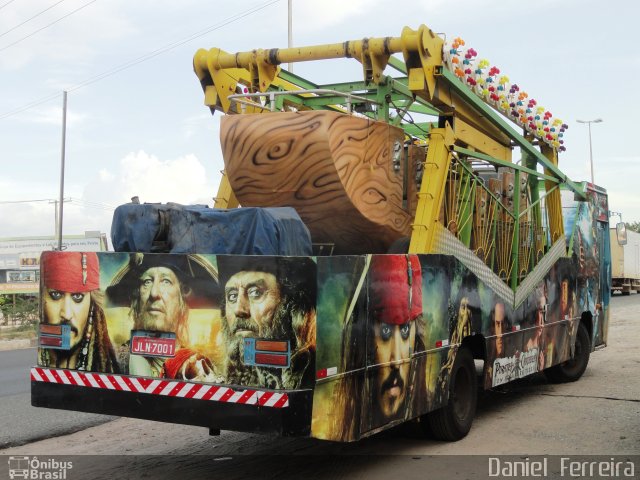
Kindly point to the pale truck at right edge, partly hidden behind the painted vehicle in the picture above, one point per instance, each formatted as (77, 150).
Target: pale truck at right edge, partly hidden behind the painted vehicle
(625, 263)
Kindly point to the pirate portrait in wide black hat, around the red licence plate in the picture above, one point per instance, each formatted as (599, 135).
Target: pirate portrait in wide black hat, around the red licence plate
(161, 291)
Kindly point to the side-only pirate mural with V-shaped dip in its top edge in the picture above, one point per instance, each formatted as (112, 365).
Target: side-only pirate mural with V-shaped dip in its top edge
(389, 328)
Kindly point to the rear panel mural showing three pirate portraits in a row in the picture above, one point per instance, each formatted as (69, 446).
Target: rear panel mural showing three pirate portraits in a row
(189, 317)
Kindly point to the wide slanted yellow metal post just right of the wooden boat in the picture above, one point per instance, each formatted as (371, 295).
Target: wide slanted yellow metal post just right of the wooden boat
(432, 189)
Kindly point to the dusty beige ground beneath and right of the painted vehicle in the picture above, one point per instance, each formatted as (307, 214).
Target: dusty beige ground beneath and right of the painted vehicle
(598, 415)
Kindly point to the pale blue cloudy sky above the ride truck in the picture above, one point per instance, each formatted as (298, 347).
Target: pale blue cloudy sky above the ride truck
(137, 125)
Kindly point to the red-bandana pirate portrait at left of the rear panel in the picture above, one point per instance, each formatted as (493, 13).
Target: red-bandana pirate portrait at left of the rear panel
(71, 296)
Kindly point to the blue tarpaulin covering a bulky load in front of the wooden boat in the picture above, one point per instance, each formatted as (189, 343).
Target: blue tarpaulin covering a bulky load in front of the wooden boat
(177, 228)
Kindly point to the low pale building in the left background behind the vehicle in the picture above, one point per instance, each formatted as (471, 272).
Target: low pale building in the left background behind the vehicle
(20, 258)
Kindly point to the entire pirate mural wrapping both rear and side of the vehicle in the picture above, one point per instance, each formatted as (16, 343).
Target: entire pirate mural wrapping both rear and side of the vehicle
(374, 336)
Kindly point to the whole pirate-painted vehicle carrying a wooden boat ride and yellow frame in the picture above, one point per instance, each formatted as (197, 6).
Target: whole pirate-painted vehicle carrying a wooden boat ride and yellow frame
(370, 240)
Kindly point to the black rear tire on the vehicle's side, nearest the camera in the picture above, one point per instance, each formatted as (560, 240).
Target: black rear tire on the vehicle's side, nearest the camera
(453, 421)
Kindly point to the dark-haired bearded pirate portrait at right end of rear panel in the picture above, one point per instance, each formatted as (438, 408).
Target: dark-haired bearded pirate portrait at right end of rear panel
(270, 298)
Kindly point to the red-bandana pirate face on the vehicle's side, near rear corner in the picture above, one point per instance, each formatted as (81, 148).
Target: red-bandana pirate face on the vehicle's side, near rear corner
(396, 304)
